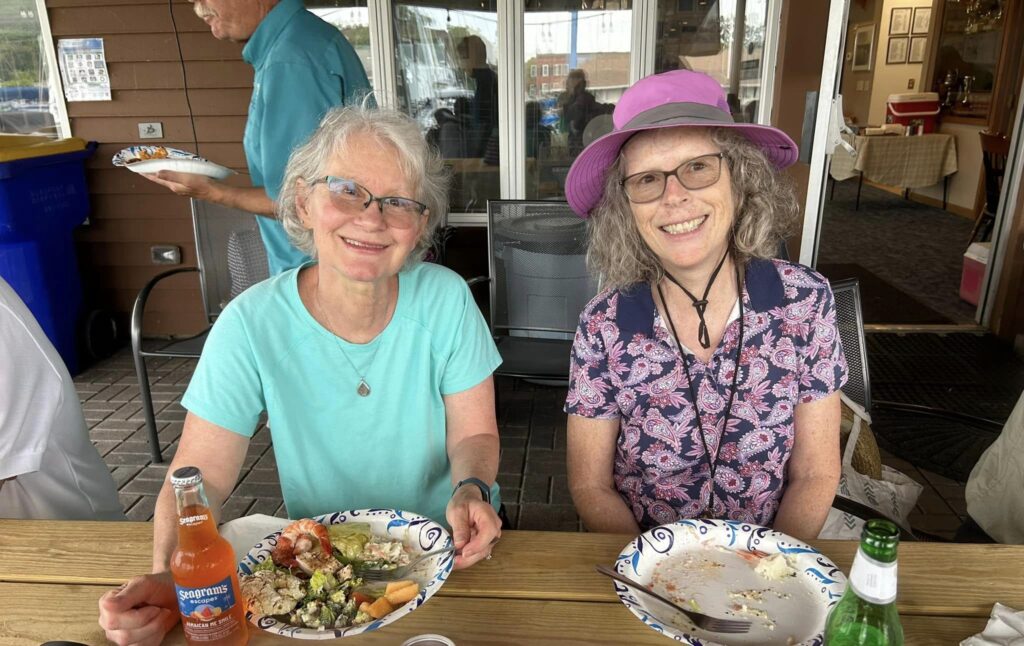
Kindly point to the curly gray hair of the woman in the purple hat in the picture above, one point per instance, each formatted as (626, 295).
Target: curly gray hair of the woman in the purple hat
(766, 212)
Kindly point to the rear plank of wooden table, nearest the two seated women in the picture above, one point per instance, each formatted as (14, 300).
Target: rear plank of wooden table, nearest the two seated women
(935, 579)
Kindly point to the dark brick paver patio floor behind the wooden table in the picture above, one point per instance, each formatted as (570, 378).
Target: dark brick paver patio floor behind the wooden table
(533, 459)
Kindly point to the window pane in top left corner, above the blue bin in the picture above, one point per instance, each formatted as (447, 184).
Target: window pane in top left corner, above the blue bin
(27, 105)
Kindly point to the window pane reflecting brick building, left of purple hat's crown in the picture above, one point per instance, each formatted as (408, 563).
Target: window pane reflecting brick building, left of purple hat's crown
(584, 60)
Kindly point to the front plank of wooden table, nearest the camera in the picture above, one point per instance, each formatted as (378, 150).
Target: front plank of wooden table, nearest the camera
(467, 622)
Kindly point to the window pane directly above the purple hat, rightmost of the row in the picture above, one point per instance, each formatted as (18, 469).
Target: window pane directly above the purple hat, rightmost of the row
(721, 38)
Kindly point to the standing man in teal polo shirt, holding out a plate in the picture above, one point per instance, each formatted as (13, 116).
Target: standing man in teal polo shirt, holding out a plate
(304, 67)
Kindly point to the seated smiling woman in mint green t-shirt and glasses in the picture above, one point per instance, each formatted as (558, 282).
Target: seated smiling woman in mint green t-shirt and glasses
(374, 369)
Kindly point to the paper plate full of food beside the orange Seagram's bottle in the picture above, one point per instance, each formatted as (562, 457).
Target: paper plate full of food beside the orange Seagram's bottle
(304, 582)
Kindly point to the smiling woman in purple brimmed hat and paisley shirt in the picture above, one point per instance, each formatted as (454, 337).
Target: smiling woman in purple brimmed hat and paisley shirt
(688, 209)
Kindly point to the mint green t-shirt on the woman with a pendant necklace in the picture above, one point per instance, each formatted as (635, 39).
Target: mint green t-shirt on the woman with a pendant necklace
(335, 450)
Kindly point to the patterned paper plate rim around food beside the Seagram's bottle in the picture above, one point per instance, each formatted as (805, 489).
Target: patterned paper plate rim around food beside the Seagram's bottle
(419, 534)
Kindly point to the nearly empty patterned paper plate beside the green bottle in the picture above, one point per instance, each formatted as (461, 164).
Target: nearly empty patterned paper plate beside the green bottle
(709, 566)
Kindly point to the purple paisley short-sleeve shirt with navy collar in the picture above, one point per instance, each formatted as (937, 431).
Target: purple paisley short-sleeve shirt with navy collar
(626, 366)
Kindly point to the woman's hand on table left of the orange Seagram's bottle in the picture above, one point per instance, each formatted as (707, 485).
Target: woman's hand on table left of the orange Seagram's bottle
(140, 613)
